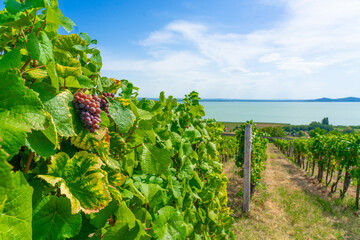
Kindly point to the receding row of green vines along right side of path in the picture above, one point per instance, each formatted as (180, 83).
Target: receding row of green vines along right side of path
(336, 154)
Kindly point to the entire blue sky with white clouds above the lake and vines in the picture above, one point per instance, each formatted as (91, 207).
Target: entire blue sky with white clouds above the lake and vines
(246, 49)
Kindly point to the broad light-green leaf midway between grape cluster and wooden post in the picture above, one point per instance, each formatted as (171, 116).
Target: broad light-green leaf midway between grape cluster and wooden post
(155, 160)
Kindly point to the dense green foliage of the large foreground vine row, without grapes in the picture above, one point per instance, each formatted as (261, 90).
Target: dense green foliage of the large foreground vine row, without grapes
(151, 170)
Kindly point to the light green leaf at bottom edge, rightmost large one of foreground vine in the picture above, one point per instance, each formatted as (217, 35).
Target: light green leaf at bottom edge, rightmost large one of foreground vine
(169, 224)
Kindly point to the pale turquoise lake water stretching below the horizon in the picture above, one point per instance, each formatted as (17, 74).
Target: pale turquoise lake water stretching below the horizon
(339, 113)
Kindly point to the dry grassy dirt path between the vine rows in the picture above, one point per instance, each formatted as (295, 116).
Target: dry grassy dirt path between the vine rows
(289, 206)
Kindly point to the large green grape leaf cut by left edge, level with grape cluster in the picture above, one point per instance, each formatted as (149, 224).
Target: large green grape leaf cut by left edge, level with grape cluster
(20, 112)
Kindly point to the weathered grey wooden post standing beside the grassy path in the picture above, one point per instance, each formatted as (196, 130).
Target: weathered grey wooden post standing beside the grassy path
(247, 169)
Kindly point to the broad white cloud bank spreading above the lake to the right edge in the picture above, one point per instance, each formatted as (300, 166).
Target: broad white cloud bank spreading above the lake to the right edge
(318, 36)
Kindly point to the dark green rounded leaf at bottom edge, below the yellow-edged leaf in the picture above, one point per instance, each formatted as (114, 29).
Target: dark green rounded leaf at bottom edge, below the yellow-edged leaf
(52, 219)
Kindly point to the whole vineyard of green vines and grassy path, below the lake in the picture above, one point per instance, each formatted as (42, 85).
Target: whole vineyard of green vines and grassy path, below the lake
(82, 156)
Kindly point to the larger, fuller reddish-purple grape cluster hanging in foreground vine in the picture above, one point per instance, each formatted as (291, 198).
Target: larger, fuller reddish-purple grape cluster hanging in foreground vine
(88, 108)
